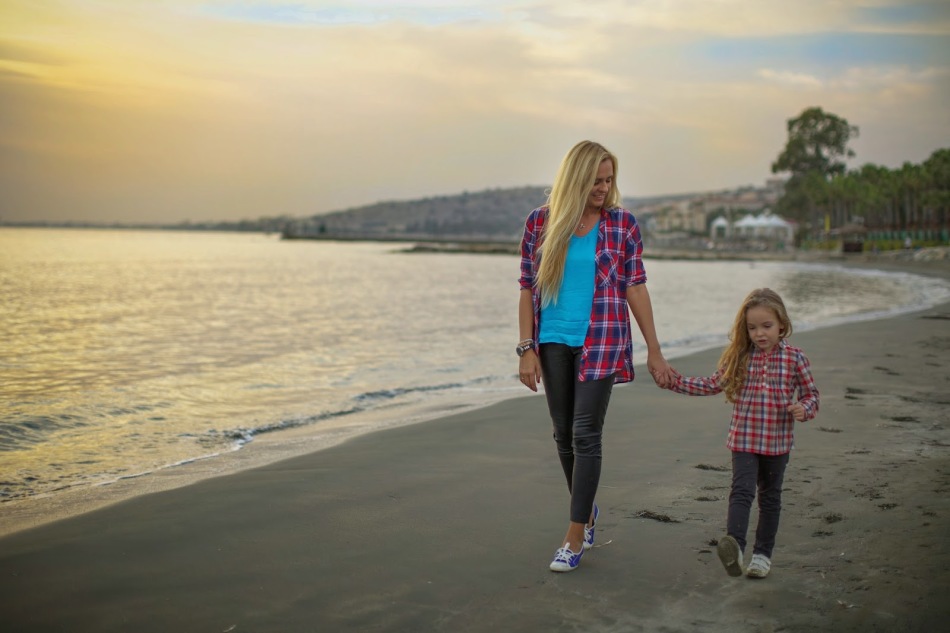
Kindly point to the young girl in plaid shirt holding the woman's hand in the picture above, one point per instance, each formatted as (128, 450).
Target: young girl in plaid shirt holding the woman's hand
(770, 385)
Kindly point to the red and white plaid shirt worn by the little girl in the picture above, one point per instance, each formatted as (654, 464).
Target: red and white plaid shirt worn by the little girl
(761, 422)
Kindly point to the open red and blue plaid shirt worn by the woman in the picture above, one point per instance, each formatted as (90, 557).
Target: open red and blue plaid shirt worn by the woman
(608, 346)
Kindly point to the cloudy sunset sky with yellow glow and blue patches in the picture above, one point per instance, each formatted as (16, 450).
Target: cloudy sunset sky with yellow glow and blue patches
(170, 111)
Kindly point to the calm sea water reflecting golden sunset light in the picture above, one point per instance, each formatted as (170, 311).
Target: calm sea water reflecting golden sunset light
(126, 352)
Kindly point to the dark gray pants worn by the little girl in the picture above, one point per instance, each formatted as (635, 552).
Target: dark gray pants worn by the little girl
(751, 473)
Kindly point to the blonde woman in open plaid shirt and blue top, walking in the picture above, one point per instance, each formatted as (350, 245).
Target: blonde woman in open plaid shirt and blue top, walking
(581, 268)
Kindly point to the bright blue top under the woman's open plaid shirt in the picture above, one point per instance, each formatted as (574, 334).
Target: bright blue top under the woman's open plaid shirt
(567, 320)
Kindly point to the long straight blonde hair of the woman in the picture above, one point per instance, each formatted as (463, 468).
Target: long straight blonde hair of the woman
(566, 203)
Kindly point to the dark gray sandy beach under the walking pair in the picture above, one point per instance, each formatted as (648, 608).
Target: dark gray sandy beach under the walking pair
(449, 525)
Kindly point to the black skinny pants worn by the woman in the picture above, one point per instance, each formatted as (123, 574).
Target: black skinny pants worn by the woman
(578, 410)
